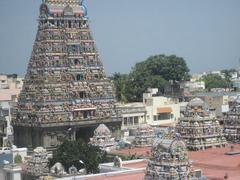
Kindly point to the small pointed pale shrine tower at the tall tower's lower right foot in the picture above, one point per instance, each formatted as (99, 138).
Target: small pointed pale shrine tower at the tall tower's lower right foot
(103, 138)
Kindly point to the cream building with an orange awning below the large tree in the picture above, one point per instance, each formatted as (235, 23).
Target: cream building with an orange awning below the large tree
(160, 110)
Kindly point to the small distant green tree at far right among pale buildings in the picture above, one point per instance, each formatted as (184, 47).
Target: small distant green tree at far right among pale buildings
(214, 81)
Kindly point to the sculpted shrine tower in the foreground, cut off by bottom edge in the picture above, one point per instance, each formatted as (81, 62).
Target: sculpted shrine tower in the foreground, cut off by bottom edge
(169, 161)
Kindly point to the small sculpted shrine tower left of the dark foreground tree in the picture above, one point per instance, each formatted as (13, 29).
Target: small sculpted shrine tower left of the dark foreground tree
(36, 166)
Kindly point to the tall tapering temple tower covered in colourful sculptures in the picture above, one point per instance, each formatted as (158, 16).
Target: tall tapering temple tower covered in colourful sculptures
(66, 93)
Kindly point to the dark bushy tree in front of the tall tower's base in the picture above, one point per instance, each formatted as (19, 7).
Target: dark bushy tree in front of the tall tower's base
(71, 152)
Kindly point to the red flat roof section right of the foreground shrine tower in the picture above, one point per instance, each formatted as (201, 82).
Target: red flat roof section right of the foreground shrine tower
(215, 164)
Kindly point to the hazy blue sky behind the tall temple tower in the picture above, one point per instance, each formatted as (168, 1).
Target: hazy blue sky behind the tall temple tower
(206, 33)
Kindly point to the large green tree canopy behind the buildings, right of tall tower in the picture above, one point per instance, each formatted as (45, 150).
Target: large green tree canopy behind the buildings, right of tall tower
(155, 72)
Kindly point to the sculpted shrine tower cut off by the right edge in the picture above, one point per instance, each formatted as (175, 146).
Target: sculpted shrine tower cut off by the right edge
(231, 121)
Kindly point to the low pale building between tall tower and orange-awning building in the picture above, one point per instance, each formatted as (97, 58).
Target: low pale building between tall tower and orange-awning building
(133, 115)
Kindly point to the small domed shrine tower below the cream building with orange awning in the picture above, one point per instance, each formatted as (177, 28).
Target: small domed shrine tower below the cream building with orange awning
(144, 136)
